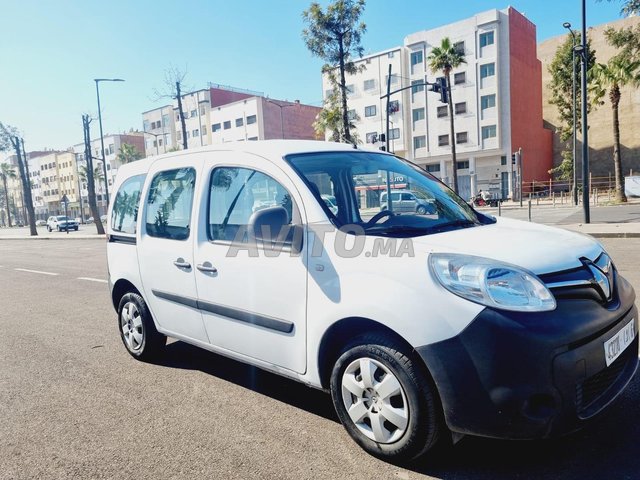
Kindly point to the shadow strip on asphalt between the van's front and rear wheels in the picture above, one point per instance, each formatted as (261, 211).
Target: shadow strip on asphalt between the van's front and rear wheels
(183, 355)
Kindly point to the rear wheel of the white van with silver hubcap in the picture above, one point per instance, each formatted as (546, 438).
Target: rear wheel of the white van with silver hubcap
(137, 330)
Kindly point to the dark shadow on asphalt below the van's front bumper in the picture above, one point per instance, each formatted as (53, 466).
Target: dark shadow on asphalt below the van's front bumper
(605, 448)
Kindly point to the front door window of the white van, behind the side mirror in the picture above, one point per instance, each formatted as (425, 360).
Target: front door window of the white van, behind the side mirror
(235, 194)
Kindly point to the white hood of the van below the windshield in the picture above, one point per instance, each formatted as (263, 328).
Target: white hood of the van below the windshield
(538, 248)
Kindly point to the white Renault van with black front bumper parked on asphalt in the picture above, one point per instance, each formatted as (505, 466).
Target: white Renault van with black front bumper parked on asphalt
(422, 327)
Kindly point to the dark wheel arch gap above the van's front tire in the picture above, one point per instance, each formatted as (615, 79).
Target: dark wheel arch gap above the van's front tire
(344, 331)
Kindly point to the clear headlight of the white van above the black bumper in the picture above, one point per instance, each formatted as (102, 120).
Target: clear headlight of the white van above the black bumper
(491, 283)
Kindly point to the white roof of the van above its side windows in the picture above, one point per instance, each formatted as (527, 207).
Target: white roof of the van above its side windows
(267, 148)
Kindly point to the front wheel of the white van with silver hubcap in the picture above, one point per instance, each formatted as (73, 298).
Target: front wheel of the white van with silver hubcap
(397, 424)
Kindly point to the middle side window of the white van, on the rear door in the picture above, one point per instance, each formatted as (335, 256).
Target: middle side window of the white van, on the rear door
(168, 209)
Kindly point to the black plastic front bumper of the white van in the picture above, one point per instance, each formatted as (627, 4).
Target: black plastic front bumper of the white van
(534, 375)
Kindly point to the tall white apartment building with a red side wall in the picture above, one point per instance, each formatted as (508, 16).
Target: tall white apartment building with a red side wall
(496, 94)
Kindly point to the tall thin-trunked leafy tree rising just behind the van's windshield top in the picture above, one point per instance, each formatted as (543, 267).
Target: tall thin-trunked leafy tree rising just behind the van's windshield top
(335, 36)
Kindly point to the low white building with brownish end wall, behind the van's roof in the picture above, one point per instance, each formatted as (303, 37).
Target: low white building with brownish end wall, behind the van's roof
(221, 114)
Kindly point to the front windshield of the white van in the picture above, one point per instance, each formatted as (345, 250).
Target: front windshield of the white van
(362, 184)
